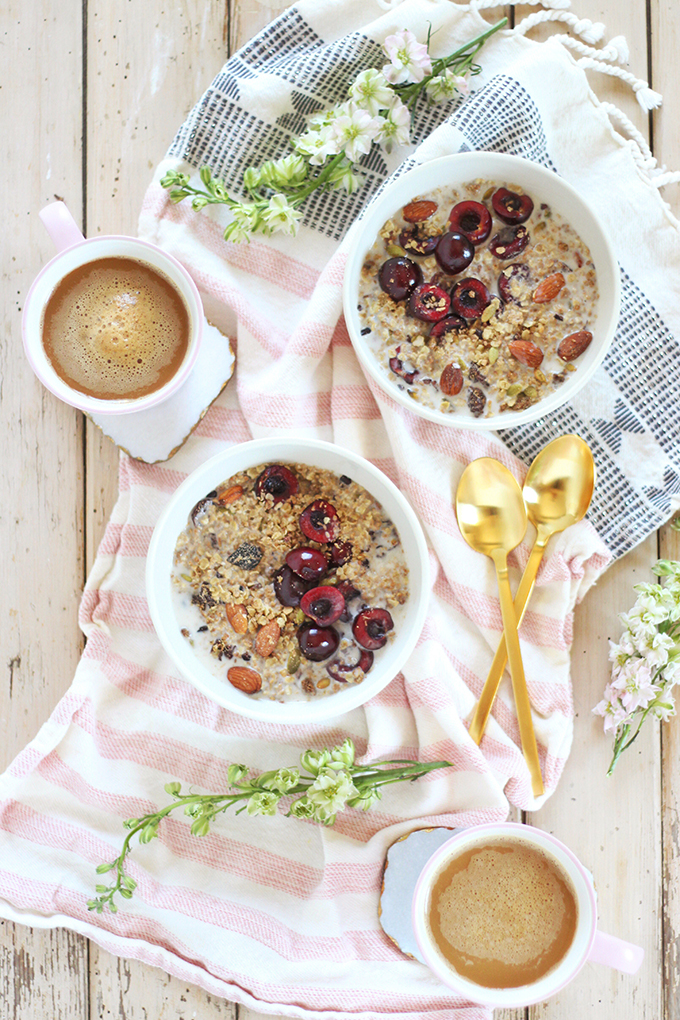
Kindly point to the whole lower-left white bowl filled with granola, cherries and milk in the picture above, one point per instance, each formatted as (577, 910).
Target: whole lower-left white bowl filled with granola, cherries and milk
(288, 580)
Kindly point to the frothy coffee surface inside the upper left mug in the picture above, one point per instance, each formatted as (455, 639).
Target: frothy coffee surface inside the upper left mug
(116, 329)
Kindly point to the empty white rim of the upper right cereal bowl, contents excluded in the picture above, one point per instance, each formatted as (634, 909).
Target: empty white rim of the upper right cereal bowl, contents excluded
(504, 164)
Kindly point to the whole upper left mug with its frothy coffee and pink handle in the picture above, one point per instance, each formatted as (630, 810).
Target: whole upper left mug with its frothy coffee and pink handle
(112, 325)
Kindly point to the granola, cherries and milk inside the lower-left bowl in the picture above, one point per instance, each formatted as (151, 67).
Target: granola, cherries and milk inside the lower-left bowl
(288, 580)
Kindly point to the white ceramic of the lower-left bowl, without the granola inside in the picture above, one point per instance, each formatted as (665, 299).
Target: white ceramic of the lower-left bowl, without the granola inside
(160, 564)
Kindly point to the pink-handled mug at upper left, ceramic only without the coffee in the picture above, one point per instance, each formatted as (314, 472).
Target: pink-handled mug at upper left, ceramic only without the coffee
(75, 251)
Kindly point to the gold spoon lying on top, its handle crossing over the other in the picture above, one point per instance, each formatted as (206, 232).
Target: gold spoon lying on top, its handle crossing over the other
(493, 521)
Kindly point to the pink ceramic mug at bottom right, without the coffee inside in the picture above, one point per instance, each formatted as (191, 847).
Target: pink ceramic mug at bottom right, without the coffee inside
(589, 943)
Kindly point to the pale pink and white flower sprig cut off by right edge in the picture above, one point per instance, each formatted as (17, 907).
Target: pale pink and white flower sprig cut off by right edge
(646, 664)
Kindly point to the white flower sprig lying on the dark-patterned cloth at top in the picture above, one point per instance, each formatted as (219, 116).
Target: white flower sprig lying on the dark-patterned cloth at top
(379, 111)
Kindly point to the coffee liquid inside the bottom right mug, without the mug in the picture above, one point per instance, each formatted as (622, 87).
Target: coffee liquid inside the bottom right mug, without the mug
(503, 914)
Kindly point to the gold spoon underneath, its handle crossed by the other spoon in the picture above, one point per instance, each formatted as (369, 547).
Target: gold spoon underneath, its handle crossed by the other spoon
(557, 493)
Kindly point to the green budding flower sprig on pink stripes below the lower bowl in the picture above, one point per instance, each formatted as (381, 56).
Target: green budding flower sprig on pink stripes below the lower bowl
(326, 784)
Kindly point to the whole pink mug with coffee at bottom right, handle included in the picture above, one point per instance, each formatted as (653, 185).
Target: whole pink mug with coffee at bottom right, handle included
(506, 915)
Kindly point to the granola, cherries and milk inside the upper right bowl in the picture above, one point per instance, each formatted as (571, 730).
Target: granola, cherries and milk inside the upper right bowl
(477, 298)
